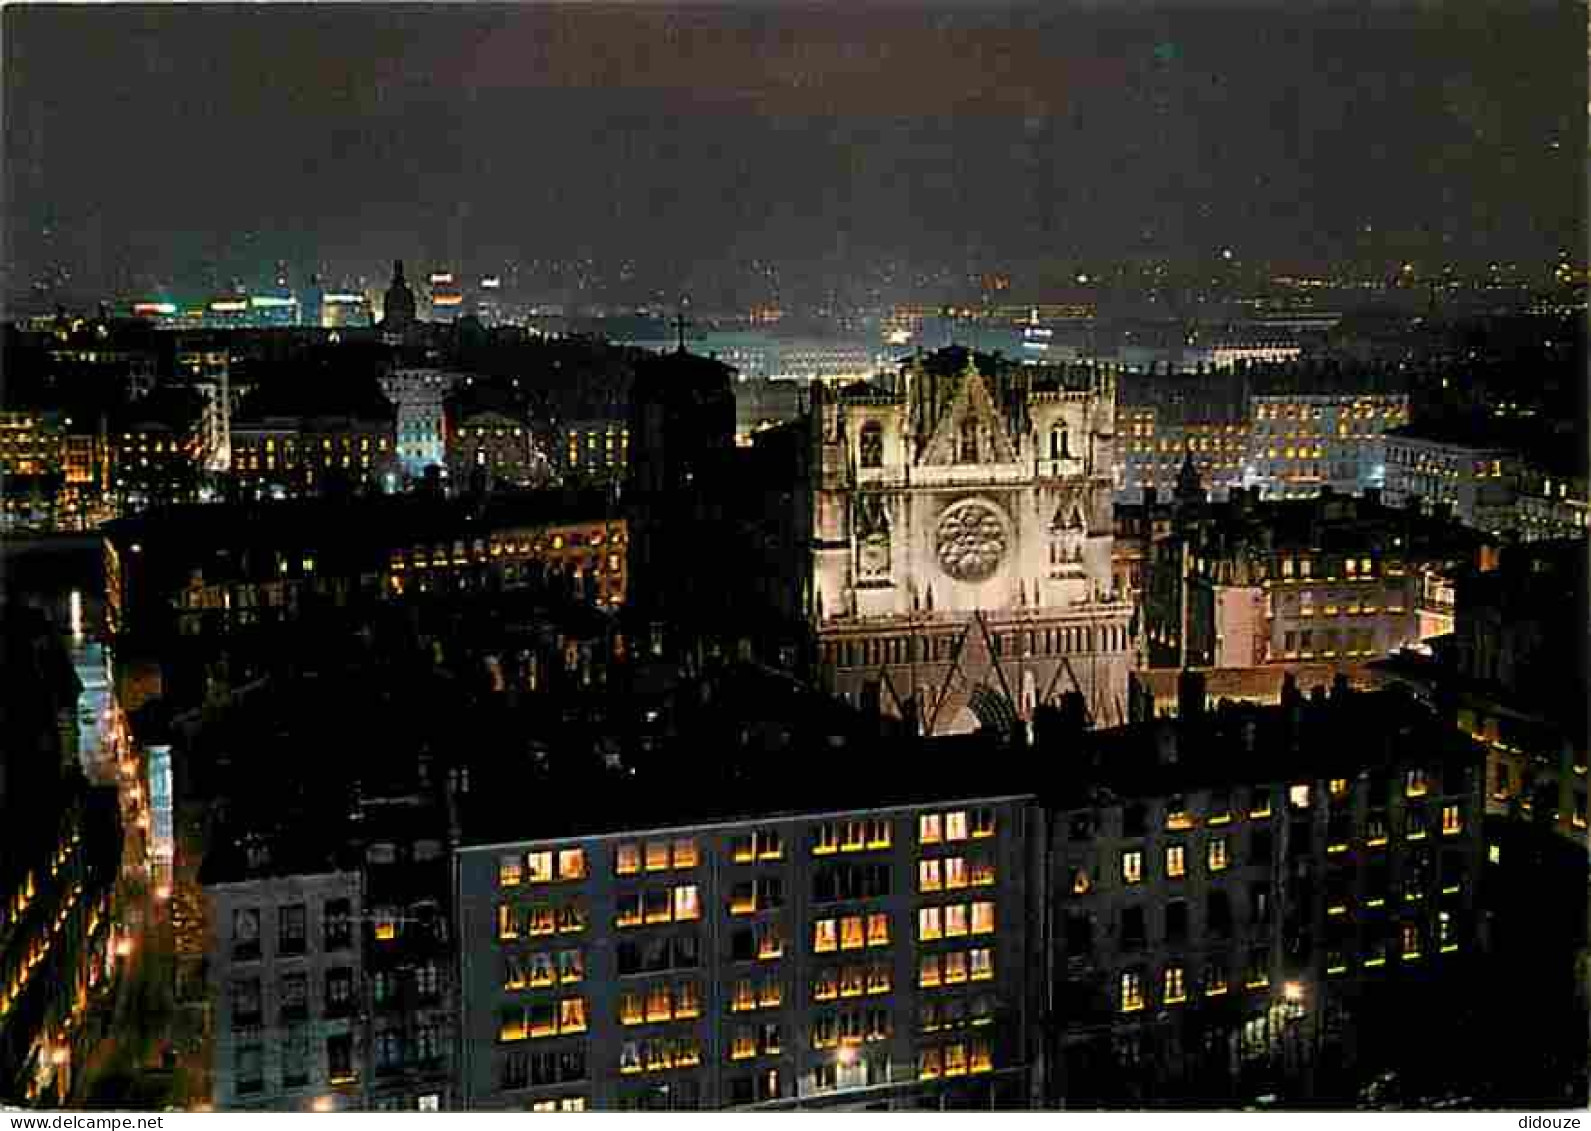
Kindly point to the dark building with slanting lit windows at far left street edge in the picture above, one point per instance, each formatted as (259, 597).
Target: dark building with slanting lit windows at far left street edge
(56, 876)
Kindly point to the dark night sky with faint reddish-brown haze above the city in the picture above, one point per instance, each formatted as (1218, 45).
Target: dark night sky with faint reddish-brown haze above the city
(166, 142)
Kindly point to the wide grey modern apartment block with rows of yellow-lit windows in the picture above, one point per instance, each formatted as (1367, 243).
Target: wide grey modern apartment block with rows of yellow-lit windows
(796, 954)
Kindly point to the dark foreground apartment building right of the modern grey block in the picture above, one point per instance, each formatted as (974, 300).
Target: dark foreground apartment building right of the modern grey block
(1253, 901)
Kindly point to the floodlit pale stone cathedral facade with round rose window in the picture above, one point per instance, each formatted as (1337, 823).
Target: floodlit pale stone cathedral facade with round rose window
(962, 529)
